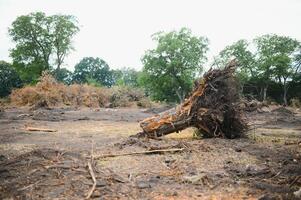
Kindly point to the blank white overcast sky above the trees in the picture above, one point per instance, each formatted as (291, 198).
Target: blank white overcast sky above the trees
(119, 31)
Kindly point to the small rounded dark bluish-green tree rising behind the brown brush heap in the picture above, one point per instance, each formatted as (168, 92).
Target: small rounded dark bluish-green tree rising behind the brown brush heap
(93, 70)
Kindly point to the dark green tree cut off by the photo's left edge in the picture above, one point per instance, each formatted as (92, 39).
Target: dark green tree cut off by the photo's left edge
(9, 79)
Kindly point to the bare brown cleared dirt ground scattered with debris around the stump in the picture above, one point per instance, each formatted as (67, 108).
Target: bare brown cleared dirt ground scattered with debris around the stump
(40, 165)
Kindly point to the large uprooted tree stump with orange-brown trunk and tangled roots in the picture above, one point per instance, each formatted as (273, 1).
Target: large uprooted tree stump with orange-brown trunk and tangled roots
(212, 108)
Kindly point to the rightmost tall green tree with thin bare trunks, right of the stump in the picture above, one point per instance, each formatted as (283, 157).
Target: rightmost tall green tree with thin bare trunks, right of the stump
(275, 60)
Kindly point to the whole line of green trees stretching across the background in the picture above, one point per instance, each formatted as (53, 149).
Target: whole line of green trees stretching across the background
(269, 65)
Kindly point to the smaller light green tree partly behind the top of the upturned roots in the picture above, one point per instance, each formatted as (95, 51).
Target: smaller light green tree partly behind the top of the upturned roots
(239, 50)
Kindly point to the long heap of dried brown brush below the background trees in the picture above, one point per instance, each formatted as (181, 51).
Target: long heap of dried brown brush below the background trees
(49, 93)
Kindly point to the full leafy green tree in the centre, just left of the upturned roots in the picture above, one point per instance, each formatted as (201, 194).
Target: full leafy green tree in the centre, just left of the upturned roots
(170, 68)
